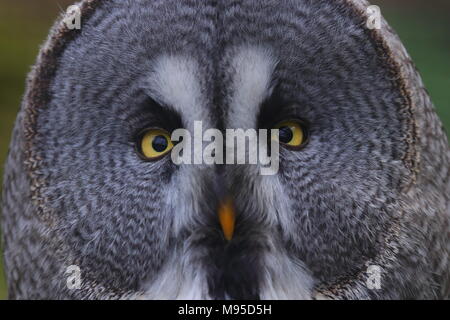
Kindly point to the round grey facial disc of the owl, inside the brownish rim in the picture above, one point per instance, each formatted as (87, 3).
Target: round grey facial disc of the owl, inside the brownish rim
(138, 223)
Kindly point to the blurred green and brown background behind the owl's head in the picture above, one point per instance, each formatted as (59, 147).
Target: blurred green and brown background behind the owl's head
(424, 27)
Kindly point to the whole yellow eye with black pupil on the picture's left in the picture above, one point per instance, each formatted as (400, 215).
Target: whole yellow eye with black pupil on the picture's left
(155, 143)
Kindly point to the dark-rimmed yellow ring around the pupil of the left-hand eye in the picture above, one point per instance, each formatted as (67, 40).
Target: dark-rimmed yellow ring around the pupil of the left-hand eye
(148, 152)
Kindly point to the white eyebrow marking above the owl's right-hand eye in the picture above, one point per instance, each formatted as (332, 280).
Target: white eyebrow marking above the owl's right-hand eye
(253, 69)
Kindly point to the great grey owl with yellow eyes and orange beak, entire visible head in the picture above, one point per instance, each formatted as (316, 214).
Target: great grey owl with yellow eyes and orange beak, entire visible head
(89, 181)
